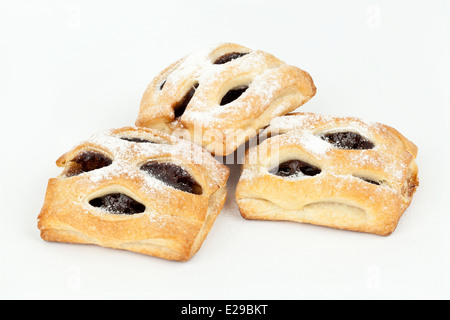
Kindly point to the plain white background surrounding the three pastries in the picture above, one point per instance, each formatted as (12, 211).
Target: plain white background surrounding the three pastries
(69, 69)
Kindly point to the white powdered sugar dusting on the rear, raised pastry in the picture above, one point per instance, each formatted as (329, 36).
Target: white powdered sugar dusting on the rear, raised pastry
(255, 69)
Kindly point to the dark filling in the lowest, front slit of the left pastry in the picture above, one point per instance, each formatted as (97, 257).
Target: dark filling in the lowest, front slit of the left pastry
(118, 203)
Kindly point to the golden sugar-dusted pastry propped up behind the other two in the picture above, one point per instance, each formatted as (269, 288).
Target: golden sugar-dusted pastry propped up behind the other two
(200, 81)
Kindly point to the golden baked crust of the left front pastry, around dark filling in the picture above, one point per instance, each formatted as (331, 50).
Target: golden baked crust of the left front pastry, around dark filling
(174, 223)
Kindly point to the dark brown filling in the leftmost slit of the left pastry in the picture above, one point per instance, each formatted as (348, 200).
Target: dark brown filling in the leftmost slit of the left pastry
(87, 161)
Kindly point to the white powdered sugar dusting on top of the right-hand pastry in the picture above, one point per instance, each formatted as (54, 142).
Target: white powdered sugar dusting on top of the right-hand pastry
(387, 162)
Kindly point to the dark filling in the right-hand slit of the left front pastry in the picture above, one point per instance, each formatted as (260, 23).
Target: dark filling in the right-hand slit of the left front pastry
(172, 175)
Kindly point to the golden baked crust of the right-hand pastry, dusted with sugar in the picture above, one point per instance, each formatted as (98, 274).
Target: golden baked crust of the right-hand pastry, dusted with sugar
(364, 190)
